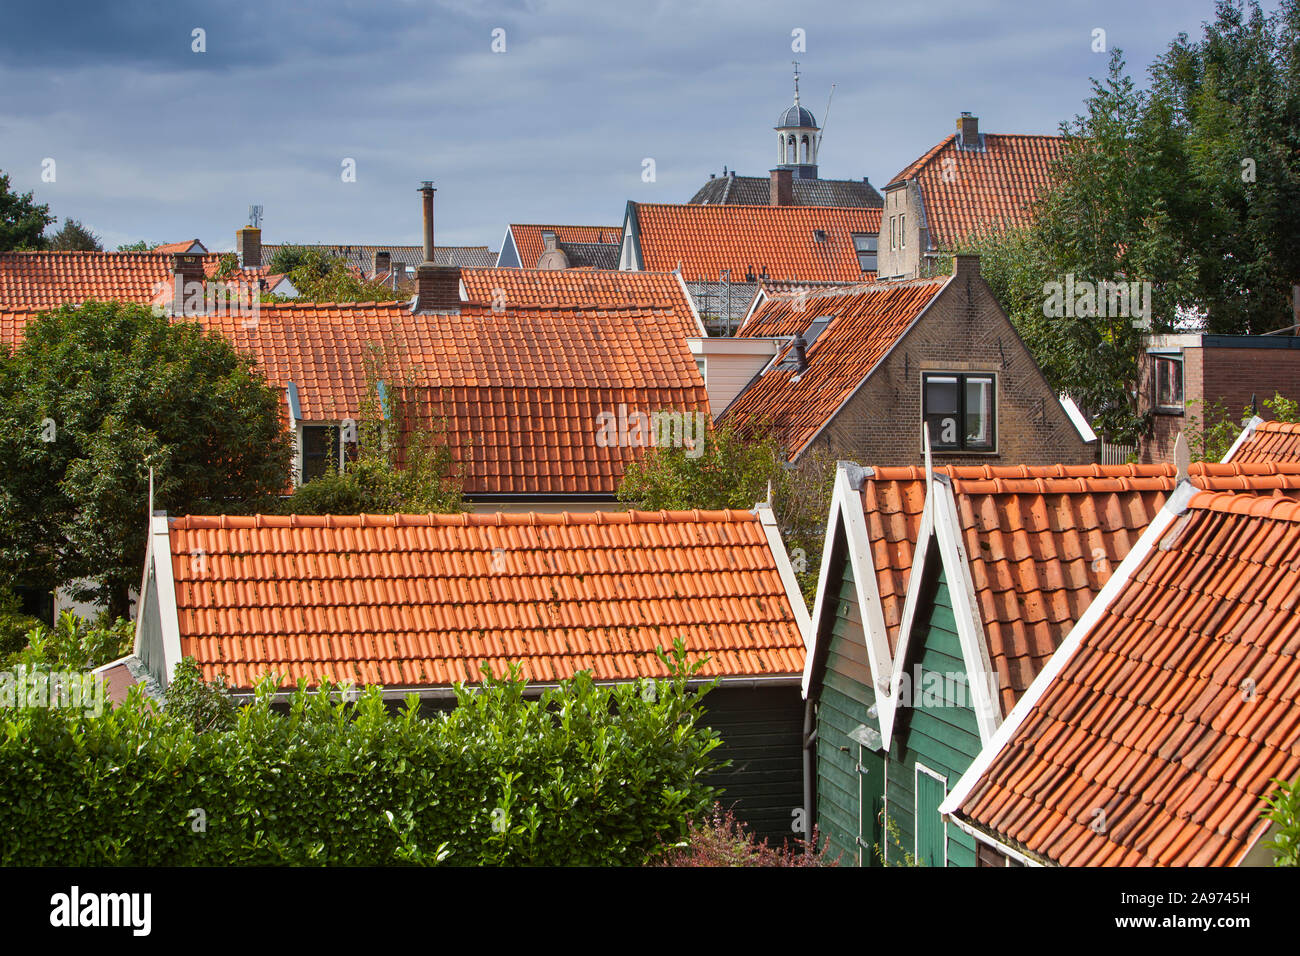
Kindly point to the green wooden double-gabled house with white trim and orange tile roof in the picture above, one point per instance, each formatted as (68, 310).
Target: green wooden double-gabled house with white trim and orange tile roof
(942, 596)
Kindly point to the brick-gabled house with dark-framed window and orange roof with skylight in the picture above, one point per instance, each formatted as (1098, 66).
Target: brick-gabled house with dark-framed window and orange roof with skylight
(863, 370)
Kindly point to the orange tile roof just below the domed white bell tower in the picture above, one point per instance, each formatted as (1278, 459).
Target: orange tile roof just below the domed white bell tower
(705, 240)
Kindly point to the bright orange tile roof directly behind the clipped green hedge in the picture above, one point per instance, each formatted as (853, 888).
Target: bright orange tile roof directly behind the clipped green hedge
(427, 600)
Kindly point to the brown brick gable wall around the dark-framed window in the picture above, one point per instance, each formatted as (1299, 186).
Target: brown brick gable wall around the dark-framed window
(964, 331)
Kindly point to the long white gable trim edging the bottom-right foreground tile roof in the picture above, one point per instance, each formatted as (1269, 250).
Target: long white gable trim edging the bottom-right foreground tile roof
(1173, 508)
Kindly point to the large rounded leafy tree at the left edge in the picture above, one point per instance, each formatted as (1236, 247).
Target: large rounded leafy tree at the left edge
(92, 400)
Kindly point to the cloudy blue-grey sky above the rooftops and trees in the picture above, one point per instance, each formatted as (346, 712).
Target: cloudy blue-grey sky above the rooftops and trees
(154, 141)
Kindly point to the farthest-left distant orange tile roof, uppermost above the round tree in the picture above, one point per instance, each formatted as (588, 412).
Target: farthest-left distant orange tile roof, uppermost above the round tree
(49, 280)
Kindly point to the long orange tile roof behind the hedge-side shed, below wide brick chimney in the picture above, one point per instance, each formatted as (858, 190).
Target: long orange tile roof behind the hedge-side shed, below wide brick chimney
(519, 391)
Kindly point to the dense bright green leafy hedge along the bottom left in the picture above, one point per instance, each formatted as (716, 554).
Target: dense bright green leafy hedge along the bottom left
(582, 776)
